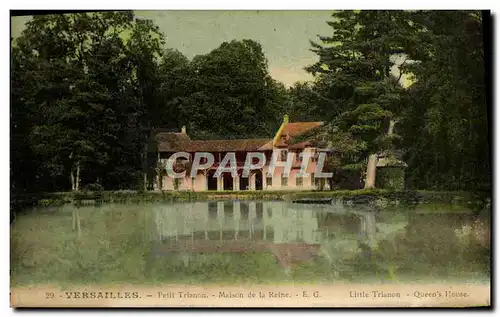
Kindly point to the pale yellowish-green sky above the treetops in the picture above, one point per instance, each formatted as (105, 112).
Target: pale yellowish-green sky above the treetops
(284, 35)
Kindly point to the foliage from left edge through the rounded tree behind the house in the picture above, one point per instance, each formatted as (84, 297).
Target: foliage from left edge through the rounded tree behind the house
(88, 89)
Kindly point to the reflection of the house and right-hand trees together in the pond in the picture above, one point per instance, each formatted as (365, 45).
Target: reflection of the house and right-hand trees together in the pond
(294, 233)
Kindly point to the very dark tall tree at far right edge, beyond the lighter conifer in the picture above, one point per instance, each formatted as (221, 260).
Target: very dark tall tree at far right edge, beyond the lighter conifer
(445, 122)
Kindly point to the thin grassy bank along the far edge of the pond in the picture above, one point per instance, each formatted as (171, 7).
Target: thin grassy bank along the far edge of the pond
(355, 196)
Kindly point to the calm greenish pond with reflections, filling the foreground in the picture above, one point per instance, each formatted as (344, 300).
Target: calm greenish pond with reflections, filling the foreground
(249, 242)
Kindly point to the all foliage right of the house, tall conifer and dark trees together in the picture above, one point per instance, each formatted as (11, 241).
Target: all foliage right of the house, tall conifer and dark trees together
(439, 124)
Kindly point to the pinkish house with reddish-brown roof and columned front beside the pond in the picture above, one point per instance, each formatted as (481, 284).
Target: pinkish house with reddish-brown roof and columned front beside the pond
(287, 139)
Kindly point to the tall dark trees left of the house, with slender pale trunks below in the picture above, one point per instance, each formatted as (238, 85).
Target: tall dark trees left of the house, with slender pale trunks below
(73, 98)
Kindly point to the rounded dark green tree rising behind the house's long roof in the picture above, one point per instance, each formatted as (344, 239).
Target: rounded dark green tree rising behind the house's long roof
(232, 94)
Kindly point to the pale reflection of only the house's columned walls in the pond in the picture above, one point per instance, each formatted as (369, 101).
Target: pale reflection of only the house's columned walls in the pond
(274, 222)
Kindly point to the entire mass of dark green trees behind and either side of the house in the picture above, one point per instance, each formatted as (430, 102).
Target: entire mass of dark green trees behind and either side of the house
(87, 89)
